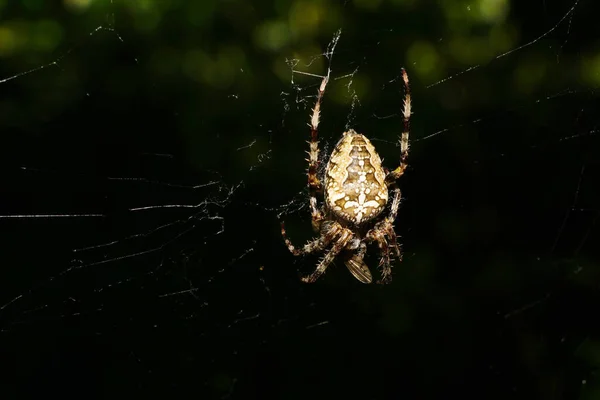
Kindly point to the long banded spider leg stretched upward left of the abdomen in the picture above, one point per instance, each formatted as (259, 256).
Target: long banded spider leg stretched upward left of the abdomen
(314, 184)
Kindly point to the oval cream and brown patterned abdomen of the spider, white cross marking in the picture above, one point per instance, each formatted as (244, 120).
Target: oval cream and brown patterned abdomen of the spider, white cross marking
(355, 188)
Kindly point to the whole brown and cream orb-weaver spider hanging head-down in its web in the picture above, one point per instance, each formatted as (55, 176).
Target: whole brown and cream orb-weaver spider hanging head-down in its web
(355, 194)
